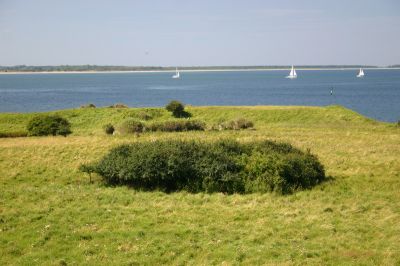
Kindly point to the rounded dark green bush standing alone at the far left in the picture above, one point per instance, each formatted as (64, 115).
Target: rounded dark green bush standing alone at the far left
(44, 125)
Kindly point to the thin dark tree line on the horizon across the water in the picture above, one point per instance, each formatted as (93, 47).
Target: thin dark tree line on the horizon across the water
(68, 68)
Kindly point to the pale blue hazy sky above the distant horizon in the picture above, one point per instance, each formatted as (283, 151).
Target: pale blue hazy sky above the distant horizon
(199, 33)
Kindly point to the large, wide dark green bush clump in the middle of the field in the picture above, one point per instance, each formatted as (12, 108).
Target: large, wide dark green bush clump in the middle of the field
(224, 166)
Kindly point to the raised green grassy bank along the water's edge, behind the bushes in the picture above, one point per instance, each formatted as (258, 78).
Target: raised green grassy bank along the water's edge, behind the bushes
(90, 121)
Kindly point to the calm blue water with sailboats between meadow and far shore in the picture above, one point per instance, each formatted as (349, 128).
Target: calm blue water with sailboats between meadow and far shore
(377, 95)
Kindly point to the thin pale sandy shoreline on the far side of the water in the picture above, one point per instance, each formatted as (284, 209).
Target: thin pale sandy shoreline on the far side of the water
(191, 70)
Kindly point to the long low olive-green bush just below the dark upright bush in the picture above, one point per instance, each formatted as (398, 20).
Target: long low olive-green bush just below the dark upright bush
(176, 126)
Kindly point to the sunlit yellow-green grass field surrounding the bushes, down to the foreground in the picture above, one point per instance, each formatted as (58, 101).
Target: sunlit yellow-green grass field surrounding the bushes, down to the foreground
(50, 213)
